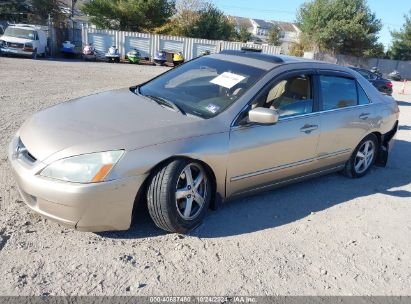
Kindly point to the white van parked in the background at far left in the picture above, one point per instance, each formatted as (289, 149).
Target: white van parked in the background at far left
(23, 39)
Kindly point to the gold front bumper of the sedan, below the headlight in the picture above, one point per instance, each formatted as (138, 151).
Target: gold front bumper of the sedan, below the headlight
(86, 207)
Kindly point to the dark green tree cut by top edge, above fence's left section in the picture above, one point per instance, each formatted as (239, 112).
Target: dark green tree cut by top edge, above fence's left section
(129, 15)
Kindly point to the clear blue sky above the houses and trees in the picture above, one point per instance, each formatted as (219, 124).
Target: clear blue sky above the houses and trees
(390, 12)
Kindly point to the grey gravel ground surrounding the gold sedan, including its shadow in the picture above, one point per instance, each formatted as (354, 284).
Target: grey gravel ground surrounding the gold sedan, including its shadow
(327, 236)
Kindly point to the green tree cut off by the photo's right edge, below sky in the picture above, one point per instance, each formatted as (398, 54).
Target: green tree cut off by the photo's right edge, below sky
(401, 45)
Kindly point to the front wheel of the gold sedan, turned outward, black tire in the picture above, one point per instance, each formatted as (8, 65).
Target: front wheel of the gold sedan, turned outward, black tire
(168, 211)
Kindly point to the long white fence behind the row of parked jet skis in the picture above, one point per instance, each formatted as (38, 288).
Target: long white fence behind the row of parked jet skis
(148, 44)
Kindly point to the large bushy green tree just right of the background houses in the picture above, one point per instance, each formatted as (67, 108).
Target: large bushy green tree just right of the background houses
(339, 26)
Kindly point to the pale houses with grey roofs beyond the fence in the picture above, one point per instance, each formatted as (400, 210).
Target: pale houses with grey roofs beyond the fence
(259, 29)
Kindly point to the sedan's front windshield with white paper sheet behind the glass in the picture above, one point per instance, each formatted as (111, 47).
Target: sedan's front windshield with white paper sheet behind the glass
(203, 87)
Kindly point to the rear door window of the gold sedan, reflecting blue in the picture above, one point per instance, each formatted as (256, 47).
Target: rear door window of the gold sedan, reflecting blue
(337, 92)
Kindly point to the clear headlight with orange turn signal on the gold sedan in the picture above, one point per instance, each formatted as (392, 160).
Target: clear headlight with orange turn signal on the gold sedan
(86, 168)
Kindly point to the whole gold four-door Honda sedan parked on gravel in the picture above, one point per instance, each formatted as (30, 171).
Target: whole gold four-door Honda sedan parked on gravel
(215, 128)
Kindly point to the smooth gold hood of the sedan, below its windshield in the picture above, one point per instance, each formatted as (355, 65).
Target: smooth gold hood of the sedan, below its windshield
(106, 121)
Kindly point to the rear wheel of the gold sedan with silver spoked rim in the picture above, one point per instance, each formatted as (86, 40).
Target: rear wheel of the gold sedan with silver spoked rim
(353, 168)
